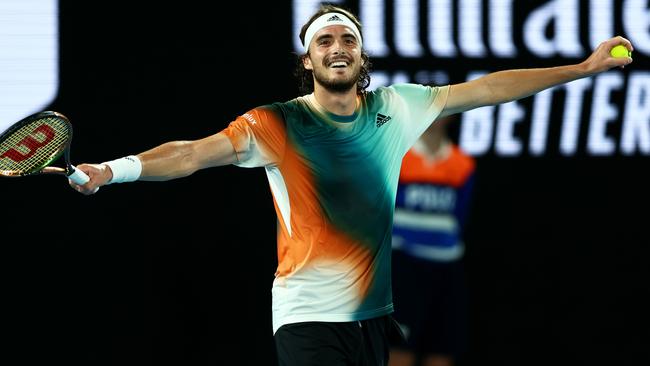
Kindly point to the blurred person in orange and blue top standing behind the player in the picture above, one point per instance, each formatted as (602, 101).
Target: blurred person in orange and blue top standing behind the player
(429, 288)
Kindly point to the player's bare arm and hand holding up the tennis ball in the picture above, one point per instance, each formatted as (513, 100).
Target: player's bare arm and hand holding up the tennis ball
(505, 86)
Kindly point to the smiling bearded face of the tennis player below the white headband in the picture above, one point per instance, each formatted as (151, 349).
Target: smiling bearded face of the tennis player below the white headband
(334, 58)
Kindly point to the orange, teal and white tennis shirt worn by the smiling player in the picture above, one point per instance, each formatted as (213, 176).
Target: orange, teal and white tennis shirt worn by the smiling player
(334, 181)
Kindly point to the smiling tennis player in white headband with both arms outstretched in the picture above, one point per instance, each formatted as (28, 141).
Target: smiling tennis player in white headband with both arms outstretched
(332, 158)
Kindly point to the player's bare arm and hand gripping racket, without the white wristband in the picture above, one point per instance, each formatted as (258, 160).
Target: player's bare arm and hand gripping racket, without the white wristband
(168, 161)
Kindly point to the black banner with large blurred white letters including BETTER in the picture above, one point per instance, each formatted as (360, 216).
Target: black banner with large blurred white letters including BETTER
(445, 41)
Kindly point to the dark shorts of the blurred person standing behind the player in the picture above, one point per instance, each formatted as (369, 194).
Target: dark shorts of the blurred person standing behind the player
(431, 305)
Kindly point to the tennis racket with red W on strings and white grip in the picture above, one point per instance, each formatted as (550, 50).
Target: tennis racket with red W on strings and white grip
(31, 146)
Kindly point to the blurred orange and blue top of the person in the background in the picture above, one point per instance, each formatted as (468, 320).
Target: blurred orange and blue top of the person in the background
(432, 203)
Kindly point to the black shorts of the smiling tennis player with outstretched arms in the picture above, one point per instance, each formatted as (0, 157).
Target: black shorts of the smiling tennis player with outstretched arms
(358, 343)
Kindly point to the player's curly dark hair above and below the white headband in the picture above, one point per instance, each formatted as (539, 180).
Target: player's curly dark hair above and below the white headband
(306, 77)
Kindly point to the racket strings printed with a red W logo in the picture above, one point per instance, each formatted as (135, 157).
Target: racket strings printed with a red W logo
(33, 146)
